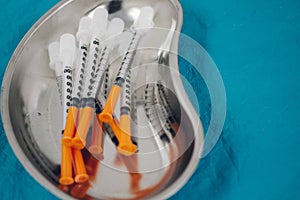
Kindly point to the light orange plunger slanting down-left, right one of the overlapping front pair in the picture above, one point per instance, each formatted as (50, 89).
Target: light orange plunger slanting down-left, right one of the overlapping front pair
(84, 122)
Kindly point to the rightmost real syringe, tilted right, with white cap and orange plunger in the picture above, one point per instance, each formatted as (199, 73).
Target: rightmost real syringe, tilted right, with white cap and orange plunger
(144, 21)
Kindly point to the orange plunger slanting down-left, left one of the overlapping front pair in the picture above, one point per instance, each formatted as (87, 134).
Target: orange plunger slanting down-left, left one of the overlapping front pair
(70, 127)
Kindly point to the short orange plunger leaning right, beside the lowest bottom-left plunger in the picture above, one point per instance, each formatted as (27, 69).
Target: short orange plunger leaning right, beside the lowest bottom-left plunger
(80, 171)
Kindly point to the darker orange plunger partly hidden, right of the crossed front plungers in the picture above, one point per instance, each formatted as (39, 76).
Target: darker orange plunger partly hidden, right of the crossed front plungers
(96, 144)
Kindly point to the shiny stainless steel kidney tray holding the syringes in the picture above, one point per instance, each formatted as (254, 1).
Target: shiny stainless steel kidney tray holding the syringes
(167, 129)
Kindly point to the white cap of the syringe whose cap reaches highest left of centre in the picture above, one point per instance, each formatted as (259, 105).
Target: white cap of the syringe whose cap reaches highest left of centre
(99, 22)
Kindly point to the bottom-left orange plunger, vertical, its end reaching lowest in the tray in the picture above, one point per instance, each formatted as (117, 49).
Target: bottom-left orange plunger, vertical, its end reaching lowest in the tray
(66, 166)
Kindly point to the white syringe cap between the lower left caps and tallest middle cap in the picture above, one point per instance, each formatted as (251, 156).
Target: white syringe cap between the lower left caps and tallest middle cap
(84, 29)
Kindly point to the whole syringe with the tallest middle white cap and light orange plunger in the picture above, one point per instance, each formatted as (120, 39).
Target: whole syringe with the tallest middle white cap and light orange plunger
(98, 28)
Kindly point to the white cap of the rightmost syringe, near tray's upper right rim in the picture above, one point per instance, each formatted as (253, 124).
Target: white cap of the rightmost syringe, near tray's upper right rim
(145, 19)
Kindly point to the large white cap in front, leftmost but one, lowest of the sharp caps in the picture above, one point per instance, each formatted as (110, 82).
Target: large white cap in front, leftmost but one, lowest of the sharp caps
(67, 49)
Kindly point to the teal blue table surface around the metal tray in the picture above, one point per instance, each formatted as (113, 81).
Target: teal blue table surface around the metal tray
(256, 46)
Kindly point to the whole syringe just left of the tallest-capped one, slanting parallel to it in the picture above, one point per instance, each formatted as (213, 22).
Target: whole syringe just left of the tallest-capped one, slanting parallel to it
(83, 36)
